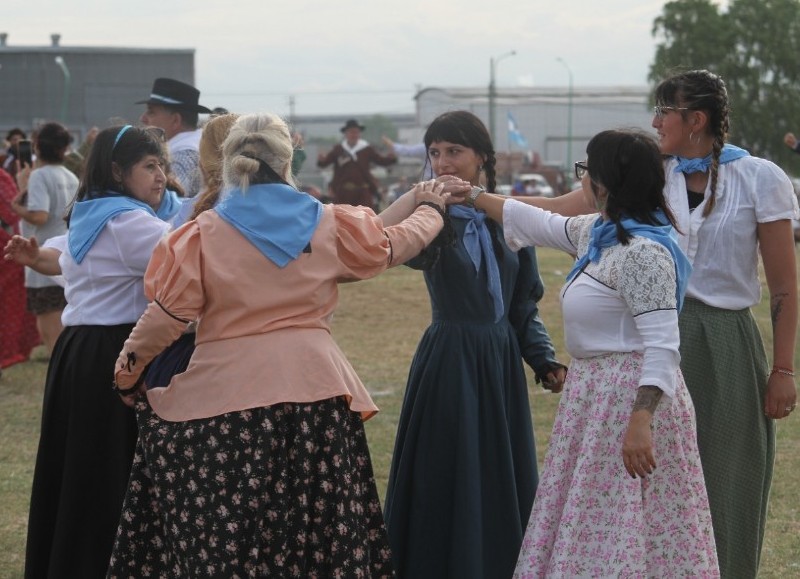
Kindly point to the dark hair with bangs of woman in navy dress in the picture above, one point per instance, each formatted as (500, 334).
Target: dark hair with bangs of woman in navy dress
(464, 128)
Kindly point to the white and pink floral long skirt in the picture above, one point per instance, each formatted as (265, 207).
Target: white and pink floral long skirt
(590, 517)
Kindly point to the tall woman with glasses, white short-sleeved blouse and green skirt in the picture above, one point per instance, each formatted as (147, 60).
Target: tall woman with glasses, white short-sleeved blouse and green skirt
(731, 206)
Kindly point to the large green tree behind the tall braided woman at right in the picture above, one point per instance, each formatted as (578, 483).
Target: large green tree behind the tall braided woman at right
(755, 47)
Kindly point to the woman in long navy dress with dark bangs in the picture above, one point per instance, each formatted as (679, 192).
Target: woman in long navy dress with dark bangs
(464, 473)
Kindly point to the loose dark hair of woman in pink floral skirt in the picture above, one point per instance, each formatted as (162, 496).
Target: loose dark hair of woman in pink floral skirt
(629, 165)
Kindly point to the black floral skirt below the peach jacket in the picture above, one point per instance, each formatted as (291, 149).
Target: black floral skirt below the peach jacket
(281, 491)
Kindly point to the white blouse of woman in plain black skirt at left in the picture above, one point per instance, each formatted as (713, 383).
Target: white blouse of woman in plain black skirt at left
(107, 287)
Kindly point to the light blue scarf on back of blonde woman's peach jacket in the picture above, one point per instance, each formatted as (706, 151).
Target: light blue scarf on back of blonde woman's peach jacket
(277, 219)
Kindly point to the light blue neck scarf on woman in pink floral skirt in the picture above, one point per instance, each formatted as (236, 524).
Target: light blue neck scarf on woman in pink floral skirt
(604, 234)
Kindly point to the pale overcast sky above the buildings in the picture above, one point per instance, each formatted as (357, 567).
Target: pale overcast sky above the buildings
(360, 56)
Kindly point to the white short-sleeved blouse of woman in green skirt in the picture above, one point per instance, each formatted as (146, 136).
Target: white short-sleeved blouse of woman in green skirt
(723, 247)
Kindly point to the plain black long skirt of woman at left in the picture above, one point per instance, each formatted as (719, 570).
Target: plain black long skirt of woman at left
(83, 463)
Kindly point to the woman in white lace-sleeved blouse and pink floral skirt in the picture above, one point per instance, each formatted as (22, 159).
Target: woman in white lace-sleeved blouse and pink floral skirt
(622, 492)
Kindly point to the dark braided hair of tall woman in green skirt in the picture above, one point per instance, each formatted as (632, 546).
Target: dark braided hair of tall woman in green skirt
(701, 90)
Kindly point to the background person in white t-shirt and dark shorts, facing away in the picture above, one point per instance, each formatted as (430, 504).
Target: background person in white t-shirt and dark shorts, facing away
(44, 195)
